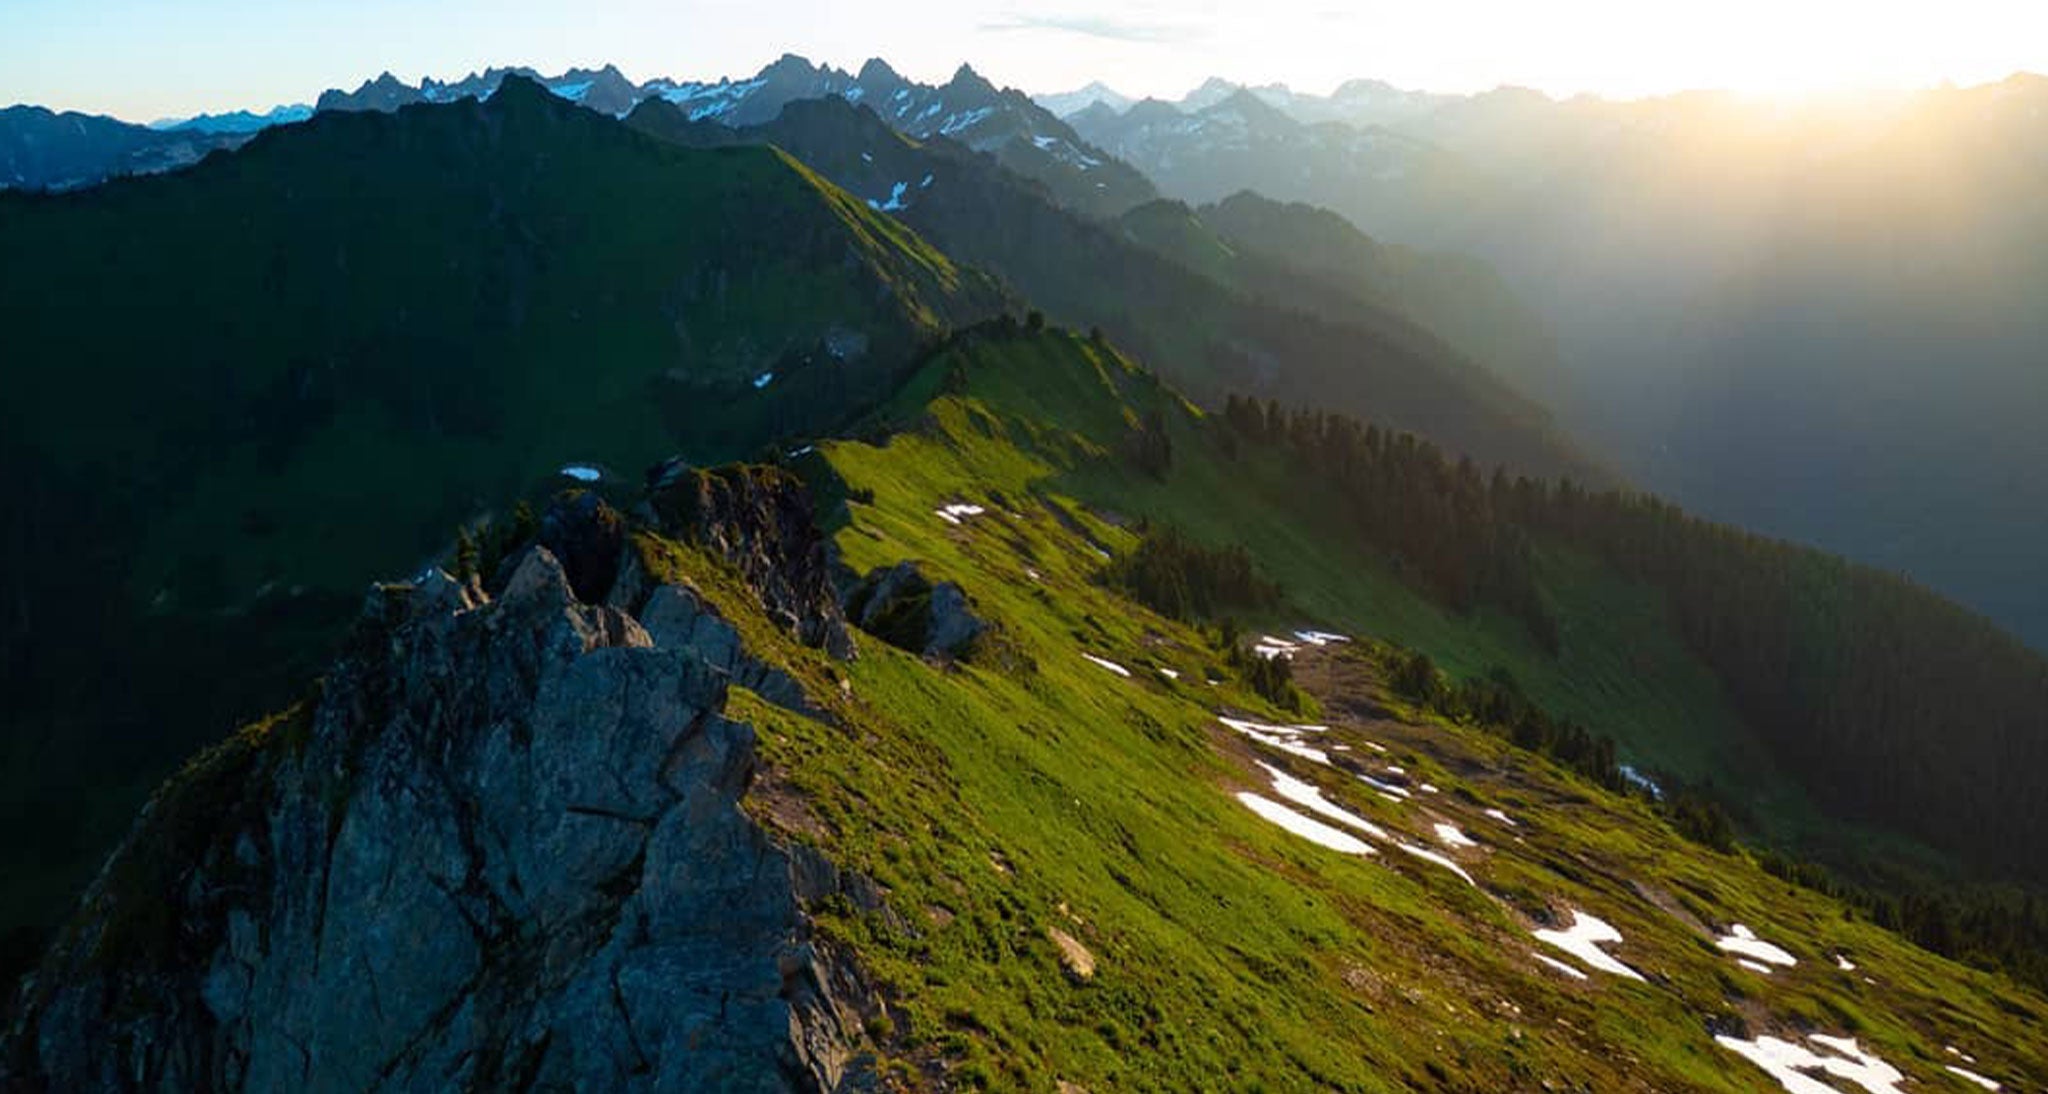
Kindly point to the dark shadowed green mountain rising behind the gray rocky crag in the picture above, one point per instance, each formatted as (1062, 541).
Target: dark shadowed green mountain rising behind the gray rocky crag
(239, 394)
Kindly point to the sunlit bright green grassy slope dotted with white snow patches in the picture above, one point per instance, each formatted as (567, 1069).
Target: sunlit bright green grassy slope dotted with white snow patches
(1033, 792)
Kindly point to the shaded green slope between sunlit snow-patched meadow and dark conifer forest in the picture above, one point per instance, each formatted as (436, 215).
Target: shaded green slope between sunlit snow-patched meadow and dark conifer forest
(1623, 669)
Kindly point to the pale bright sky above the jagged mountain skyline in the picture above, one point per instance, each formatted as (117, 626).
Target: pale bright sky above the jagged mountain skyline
(153, 58)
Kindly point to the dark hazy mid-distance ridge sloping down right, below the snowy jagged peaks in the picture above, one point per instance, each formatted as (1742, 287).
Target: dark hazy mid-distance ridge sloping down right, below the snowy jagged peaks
(1211, 317)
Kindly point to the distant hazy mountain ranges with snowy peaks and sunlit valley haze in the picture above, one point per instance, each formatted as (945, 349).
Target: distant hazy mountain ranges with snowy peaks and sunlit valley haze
(1695, 259)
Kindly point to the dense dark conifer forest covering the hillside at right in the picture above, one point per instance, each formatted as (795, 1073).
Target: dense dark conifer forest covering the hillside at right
(1887, 702)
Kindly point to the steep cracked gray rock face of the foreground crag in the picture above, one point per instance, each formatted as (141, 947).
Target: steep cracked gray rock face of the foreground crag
(503, 851)
